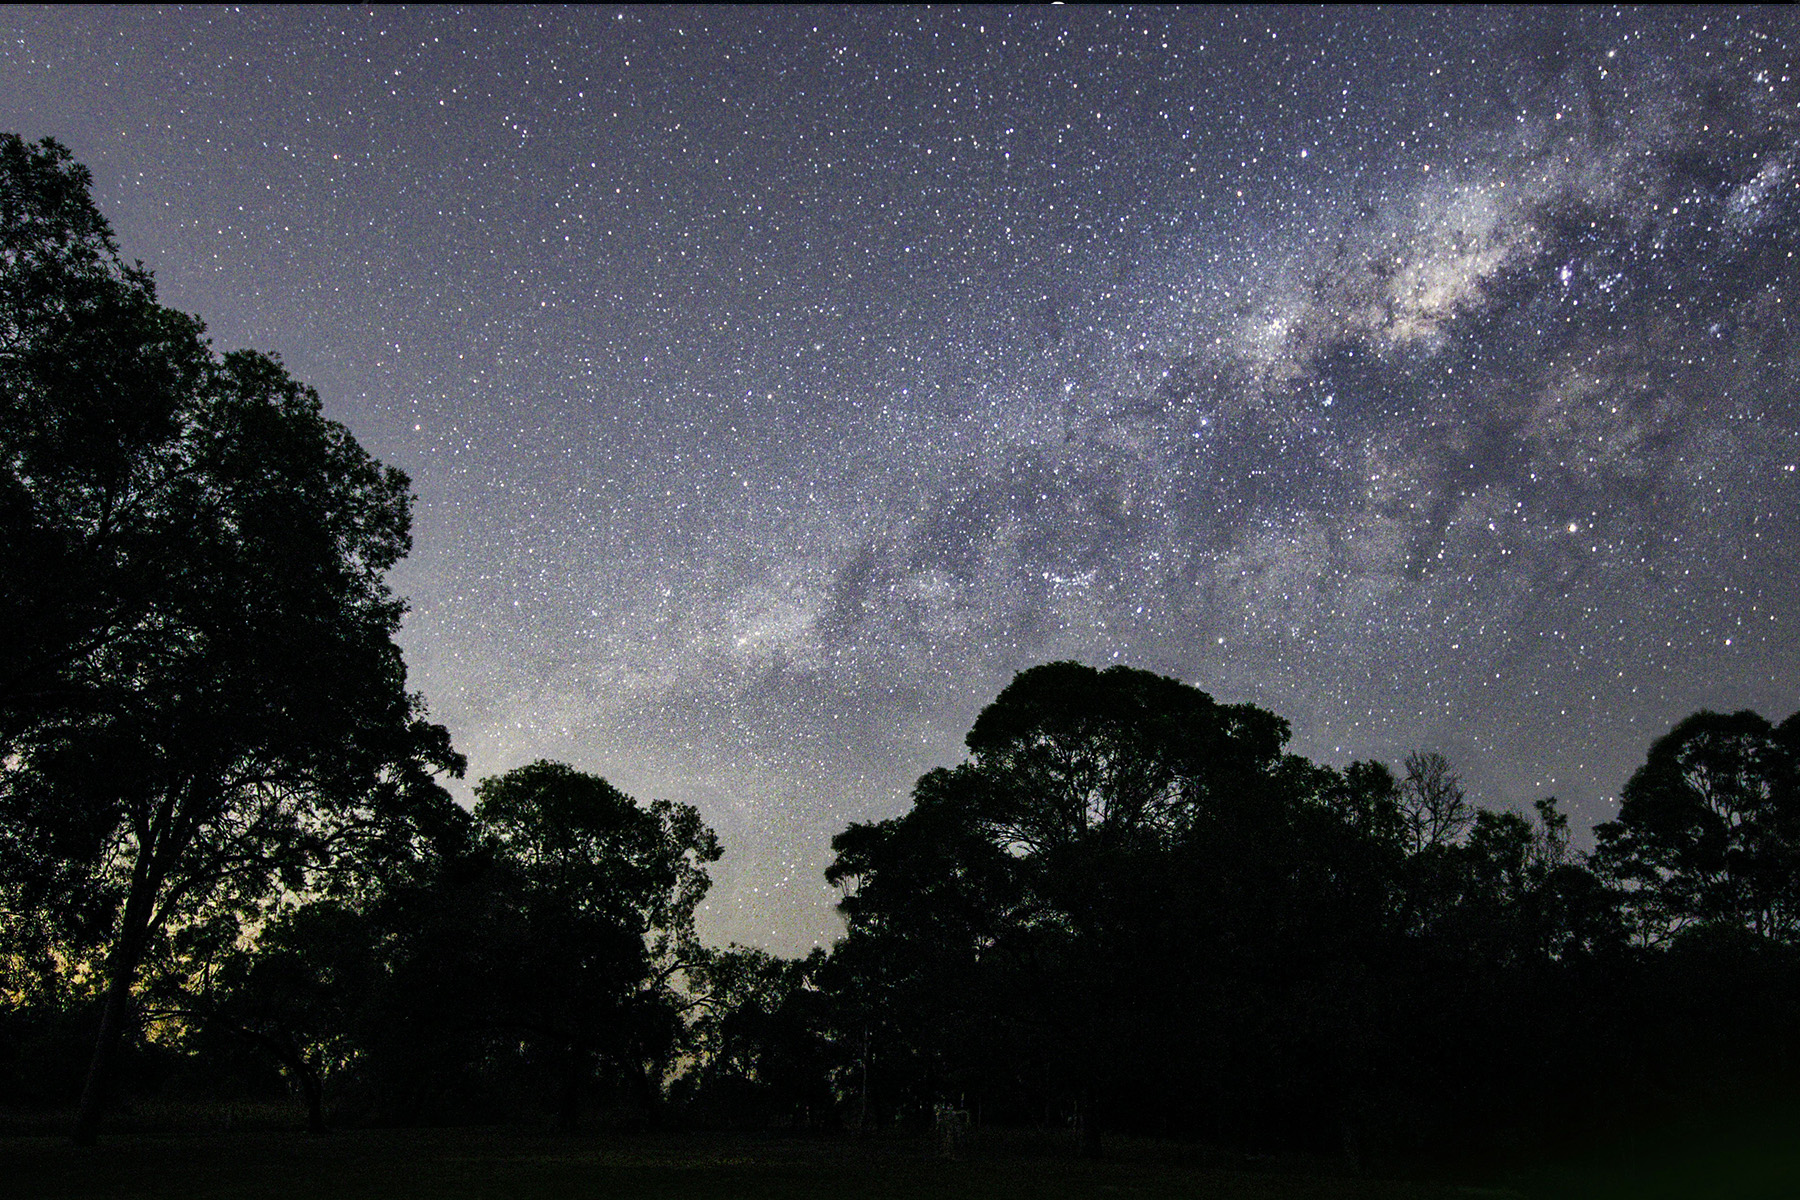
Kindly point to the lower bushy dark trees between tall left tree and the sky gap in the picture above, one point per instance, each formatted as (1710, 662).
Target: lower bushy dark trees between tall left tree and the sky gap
(528, 958)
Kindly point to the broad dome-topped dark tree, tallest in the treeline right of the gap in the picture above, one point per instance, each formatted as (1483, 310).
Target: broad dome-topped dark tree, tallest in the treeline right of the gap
(1021, 913)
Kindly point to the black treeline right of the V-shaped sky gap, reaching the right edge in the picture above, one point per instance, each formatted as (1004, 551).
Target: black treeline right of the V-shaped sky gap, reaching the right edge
(1133, 911)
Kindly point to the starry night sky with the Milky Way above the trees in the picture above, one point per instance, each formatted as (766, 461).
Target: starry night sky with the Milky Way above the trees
(777, 384)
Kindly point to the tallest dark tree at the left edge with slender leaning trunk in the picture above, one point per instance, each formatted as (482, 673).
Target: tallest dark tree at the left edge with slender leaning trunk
(204, 699)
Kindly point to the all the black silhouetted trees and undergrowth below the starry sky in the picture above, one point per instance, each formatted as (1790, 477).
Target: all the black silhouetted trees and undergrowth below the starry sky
(229, 875)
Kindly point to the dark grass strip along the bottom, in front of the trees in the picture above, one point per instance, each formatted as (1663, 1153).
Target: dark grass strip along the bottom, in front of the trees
(523, 1165)
